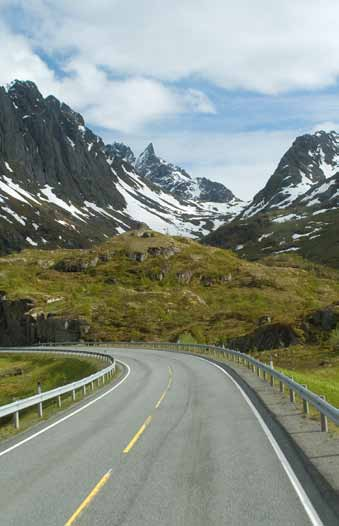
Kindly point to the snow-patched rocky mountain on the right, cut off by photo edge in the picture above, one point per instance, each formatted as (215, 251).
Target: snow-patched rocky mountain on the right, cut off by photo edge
(297, 211)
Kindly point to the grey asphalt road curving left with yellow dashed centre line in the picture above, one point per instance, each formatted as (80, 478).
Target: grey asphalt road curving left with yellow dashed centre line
(175, 443)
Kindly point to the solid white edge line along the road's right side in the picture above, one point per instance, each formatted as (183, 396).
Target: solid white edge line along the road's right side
(303, 497)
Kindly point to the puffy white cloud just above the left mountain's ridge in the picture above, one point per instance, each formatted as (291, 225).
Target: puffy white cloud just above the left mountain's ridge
(114, 104)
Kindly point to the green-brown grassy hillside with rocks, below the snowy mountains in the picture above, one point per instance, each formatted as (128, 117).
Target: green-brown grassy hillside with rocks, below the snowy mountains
(146, 286)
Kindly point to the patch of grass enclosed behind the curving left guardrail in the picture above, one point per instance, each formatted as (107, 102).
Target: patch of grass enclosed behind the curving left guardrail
(51, 371)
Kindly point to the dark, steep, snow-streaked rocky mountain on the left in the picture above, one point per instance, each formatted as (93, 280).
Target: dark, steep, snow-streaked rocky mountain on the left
(60, 185)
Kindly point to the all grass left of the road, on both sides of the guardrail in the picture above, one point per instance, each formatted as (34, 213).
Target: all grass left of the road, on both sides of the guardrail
(43, 370)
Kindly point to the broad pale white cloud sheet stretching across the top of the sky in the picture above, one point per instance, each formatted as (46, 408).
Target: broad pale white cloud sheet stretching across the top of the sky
(262, 46)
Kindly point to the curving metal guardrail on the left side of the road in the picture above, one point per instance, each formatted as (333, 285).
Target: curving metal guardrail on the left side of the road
(104, 374)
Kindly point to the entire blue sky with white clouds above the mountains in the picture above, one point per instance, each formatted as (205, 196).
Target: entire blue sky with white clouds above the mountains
(221, 87)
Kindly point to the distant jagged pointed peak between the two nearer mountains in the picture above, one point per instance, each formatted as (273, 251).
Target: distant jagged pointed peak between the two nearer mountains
(176, 180)
